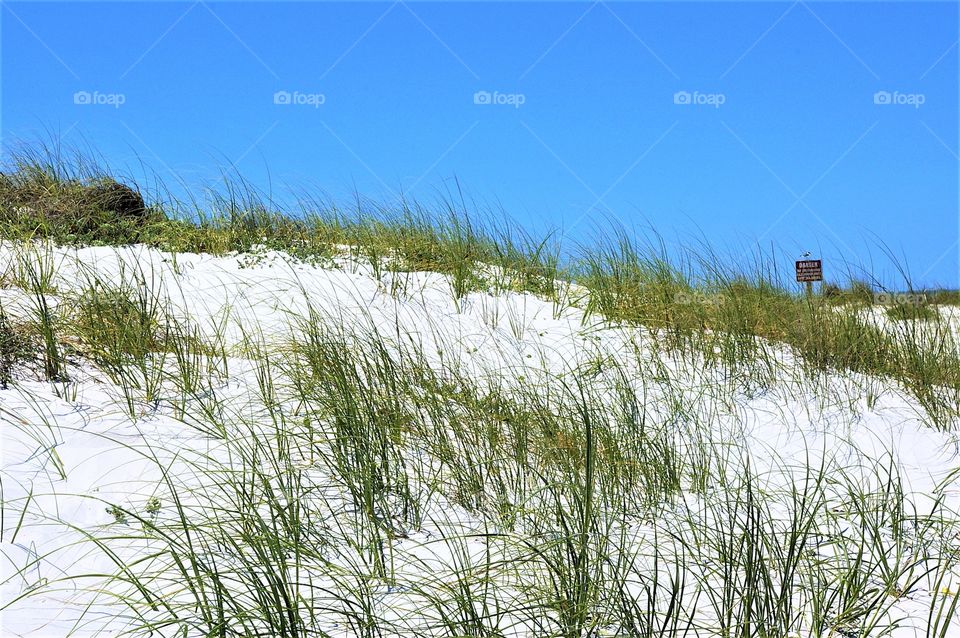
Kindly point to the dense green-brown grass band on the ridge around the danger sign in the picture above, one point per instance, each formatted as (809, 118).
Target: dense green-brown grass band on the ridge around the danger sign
(733, 318)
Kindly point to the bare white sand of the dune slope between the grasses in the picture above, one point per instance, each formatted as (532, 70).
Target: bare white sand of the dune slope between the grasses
(92, 448)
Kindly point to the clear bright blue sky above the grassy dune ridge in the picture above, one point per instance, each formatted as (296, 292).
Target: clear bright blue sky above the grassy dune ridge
(787, 145)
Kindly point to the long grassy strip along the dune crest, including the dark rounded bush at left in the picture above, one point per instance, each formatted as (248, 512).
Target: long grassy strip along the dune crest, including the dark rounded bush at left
(72, 200)
